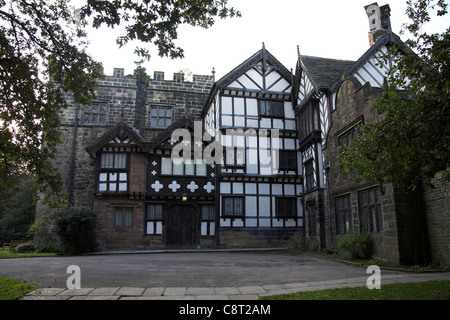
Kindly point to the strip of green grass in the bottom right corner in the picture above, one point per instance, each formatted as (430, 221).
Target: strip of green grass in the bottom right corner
(432, 290)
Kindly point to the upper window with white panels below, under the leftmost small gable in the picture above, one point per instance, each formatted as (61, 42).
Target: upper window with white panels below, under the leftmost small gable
(113, 172)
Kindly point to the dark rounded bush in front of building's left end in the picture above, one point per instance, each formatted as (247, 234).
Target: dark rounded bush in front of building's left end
(76, 227)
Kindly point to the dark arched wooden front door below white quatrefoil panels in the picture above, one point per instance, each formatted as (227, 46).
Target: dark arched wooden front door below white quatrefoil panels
(182, 226)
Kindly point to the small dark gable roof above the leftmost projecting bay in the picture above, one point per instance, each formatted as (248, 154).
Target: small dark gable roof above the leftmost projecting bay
(123, 132)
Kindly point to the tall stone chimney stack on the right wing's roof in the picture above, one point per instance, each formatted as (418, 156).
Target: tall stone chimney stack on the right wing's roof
(379, 21)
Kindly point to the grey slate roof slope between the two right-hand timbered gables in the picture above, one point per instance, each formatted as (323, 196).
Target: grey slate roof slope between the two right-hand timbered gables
(324, 72)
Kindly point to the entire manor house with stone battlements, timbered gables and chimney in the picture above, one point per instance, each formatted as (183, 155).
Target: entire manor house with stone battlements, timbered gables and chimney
(249, 160)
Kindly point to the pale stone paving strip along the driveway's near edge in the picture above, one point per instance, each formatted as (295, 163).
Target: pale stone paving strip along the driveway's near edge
(216, 293)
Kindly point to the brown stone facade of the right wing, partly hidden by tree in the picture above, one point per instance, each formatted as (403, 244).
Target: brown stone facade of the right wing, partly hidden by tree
(353, 106)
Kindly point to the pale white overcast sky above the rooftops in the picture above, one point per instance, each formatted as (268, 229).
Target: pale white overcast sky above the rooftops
(324, 28)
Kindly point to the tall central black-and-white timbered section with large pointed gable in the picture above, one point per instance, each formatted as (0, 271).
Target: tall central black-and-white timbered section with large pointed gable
(249, 112)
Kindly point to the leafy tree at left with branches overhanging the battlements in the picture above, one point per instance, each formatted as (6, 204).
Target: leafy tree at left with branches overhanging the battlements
(43, 53)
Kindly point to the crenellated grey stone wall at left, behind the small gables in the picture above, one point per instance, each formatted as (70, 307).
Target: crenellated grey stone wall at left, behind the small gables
(117, 94)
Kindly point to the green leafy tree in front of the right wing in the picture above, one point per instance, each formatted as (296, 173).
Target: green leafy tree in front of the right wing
(409, 142)
